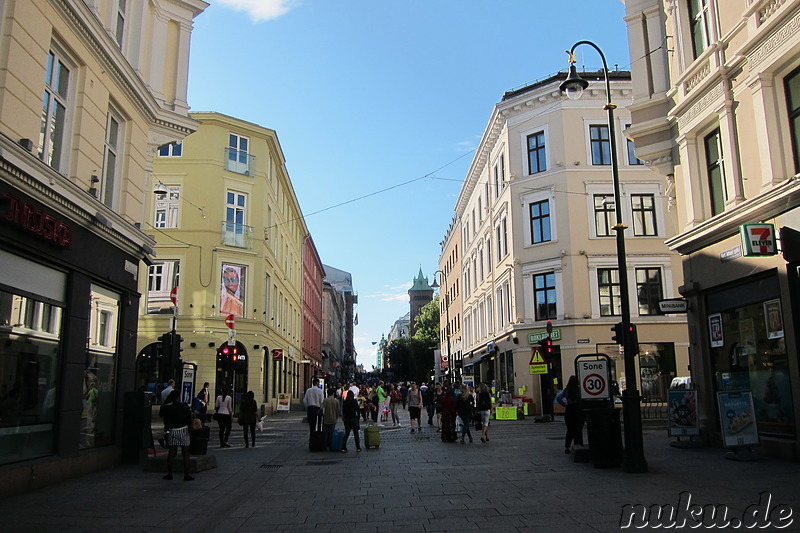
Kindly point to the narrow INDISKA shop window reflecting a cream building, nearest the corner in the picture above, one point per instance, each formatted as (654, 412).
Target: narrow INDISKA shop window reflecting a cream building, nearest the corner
(99, 375)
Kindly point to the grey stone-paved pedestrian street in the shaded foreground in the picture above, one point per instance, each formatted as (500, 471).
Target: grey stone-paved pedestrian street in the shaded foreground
(520, 481)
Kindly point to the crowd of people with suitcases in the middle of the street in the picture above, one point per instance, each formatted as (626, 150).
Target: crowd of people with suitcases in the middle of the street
(445, 406)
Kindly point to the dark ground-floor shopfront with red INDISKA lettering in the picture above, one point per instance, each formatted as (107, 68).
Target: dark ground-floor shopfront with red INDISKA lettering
(68, 321)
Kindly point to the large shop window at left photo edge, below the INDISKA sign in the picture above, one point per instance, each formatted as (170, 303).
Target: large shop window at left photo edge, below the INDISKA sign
(30, 333)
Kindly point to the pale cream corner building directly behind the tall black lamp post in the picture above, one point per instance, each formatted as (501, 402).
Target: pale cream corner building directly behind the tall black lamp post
(535, 214)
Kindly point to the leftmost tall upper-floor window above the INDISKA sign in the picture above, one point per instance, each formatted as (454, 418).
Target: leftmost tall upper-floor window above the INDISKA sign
(53, 134)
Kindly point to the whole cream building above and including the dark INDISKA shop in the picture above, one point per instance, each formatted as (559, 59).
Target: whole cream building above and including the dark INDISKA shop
(88, 90)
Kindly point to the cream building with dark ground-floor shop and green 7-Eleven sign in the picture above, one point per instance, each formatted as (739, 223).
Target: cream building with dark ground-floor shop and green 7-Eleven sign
(716, 111)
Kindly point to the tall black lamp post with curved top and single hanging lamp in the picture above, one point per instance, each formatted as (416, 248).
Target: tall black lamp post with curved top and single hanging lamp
(634, 460)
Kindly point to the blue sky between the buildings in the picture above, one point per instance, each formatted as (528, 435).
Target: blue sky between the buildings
(379, 106)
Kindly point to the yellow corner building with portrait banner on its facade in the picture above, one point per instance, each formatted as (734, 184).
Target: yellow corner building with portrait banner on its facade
(229, 235)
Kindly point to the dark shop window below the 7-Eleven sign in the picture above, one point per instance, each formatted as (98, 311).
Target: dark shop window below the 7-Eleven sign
(749, 352)
